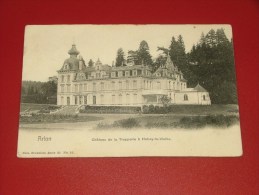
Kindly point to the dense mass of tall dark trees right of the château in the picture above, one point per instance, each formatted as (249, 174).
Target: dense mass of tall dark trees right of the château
(212, 63)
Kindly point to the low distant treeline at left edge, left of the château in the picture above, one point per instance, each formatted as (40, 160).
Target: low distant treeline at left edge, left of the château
(39, 92)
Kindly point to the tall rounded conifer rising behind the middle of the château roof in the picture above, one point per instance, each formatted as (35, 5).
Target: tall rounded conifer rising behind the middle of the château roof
(143, 55)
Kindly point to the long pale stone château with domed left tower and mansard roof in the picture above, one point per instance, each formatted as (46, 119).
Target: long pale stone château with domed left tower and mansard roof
(135, 85)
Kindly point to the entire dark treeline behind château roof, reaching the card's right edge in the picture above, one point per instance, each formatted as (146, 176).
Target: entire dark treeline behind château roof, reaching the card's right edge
(210, 63)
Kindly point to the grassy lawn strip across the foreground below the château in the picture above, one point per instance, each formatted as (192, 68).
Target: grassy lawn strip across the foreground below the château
(180, 116)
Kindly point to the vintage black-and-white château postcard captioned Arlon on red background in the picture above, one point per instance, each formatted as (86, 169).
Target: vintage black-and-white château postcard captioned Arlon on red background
(128, 90)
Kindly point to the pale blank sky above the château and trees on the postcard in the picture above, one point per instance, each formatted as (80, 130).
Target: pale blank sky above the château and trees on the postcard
(46, 46)
